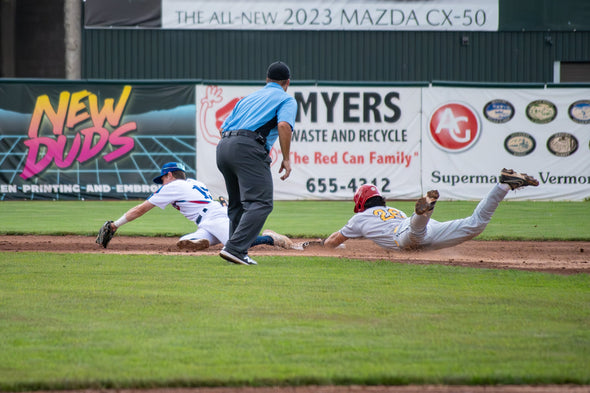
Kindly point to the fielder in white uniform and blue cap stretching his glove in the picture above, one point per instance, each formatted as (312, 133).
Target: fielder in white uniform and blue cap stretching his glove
(193, 199)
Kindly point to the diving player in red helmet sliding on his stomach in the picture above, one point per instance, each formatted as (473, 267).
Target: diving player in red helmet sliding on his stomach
(392, 229)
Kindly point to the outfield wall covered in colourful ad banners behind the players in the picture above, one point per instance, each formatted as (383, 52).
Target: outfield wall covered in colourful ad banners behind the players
(99, 140)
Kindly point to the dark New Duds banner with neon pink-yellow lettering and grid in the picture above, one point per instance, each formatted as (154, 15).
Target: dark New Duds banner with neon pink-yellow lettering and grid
(91, 141)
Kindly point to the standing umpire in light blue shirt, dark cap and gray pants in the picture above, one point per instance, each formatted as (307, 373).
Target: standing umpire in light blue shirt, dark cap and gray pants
(248, 134)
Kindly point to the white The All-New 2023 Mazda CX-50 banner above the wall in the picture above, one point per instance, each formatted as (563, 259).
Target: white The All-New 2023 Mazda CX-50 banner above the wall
(431, 15)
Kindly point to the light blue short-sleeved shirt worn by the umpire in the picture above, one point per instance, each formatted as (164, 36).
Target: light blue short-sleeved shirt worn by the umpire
(258, 108)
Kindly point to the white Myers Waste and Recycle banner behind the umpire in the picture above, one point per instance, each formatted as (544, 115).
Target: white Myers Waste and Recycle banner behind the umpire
(344, 137)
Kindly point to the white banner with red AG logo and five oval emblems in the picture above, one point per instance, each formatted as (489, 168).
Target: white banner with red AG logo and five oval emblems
(470, 134)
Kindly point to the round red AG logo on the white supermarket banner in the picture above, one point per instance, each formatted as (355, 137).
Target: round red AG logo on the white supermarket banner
(454, 127)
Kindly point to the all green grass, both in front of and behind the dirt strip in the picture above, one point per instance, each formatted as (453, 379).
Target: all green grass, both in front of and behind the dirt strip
(118, 321)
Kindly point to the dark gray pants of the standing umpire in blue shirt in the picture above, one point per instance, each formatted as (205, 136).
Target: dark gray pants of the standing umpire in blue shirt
(245, 166)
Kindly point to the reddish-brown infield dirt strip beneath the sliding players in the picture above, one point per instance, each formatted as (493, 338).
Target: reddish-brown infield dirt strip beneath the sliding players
(554, 257)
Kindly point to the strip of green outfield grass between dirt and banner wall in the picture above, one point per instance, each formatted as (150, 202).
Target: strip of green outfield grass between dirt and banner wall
(512, 220)
